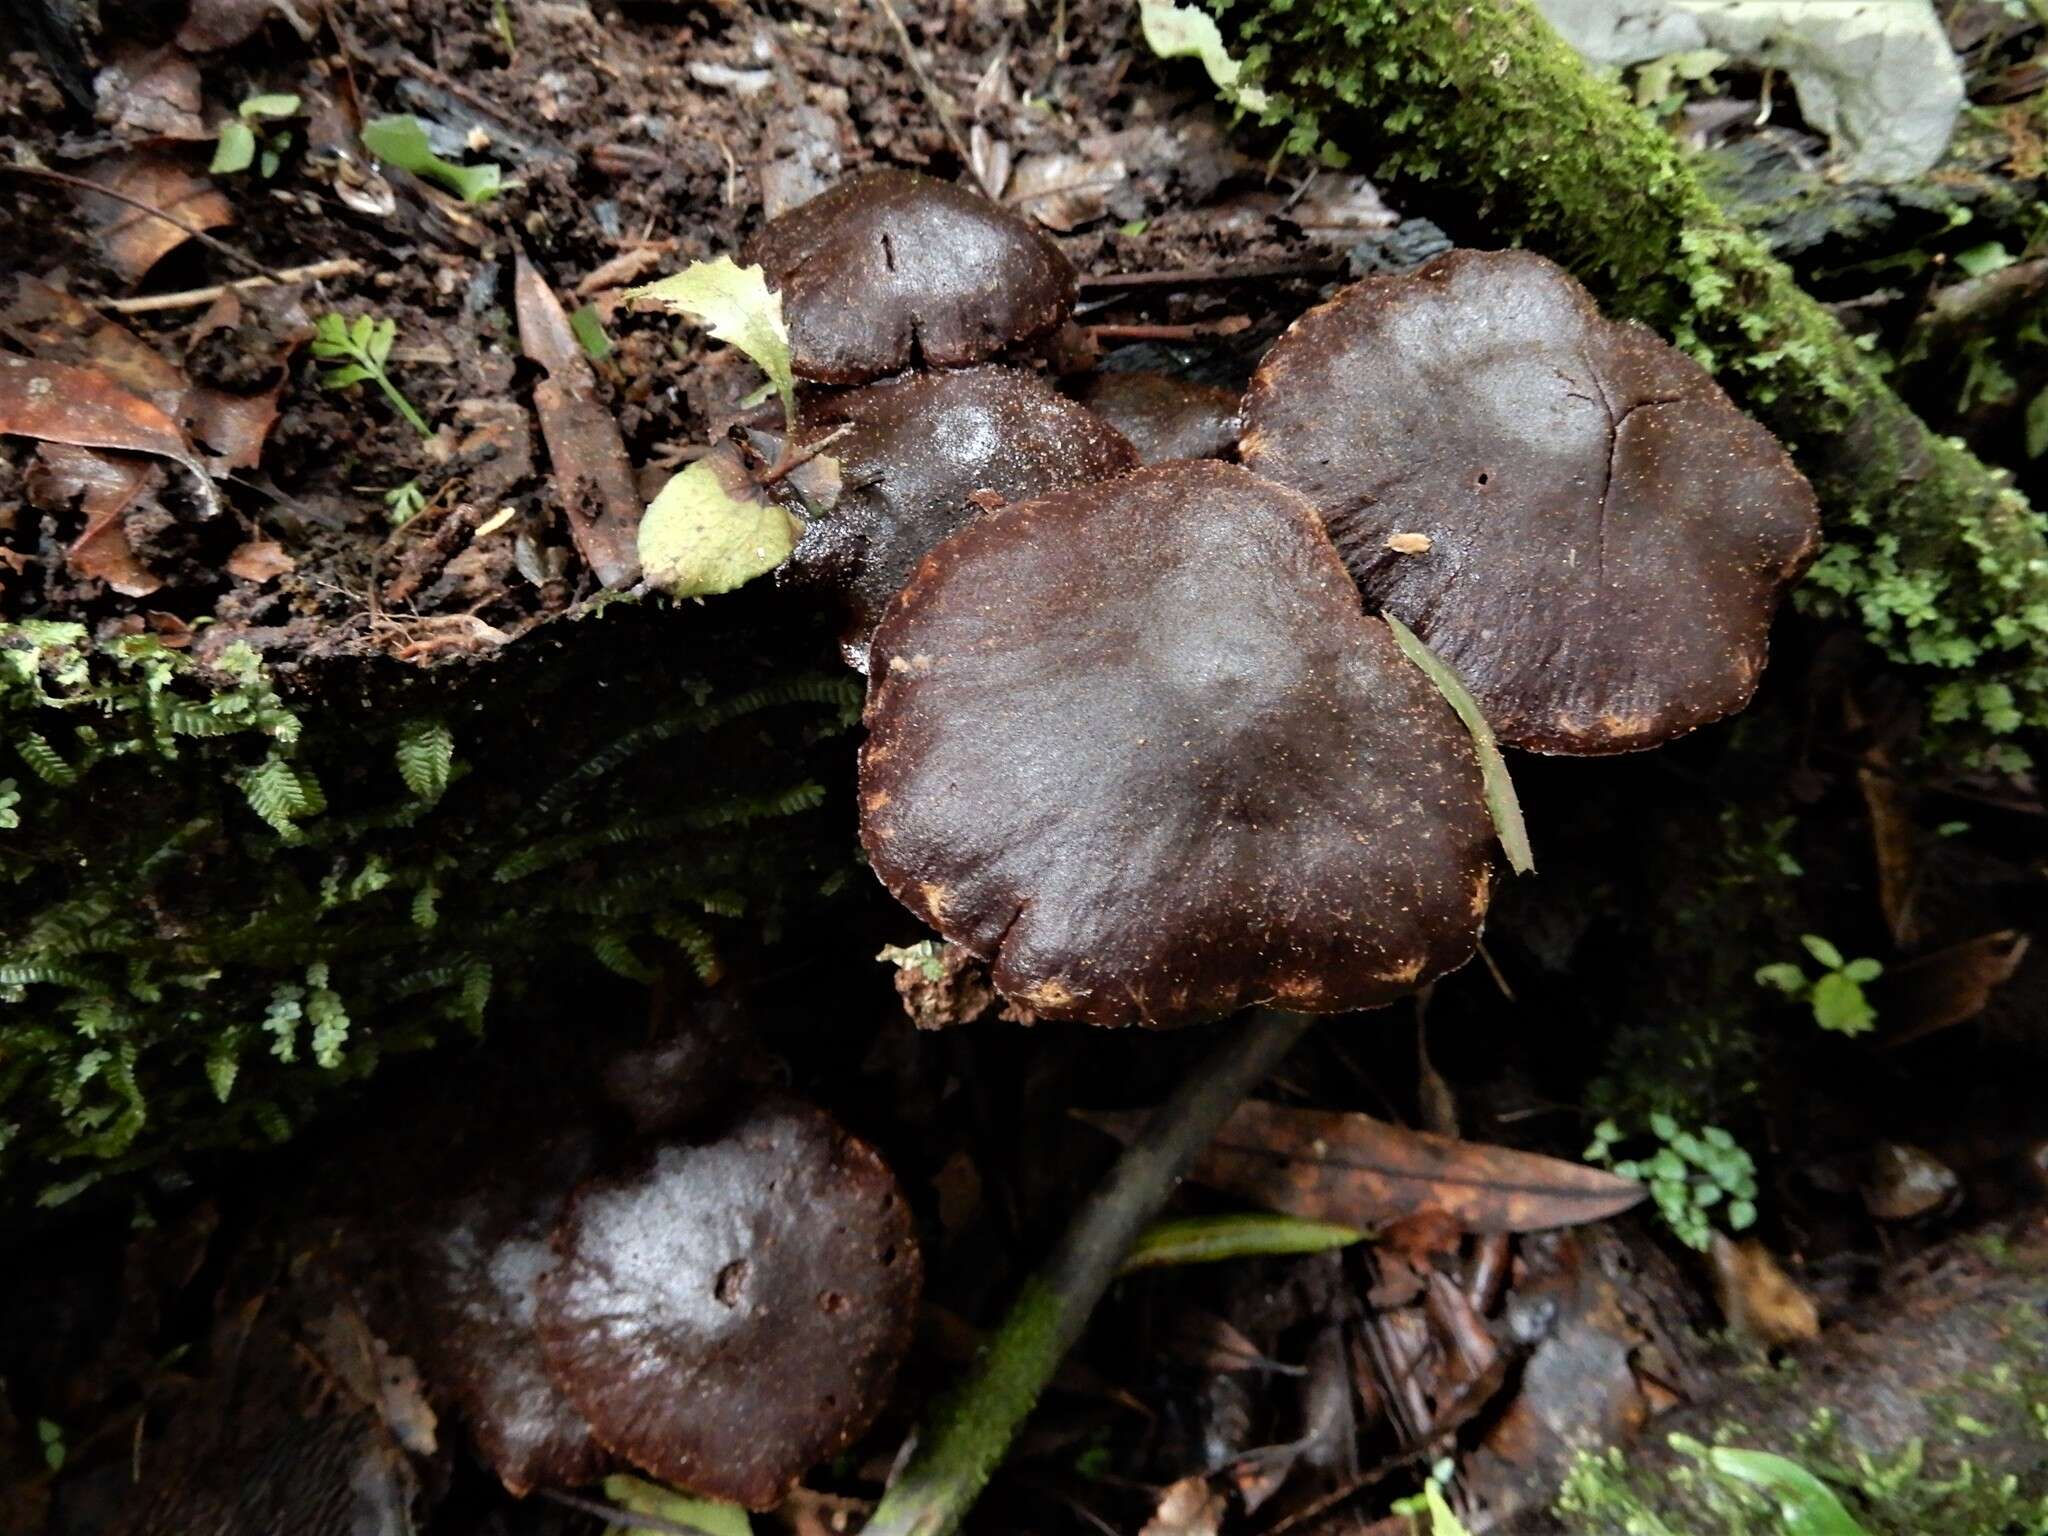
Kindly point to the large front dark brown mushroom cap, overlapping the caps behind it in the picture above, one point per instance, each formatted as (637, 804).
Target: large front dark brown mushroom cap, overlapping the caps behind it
(1142, 746)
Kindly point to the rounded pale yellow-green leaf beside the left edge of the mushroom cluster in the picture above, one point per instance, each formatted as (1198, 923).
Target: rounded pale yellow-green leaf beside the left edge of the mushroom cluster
(710, 531)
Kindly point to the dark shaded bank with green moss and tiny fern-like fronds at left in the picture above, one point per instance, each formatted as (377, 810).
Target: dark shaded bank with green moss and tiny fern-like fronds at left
(222, 904)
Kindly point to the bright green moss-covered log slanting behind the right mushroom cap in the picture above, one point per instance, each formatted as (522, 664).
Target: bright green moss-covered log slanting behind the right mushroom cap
(1502, 134)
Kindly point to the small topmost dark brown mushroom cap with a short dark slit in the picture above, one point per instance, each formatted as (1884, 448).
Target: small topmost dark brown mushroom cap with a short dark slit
(892, 271)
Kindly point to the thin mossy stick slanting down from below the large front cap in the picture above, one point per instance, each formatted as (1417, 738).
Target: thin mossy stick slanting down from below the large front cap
(966, 1435)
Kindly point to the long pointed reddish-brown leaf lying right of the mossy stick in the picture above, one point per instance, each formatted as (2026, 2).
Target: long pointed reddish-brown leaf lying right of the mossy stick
(1363, 1172)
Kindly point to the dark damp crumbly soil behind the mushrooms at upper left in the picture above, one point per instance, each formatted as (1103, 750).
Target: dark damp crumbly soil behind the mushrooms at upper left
(634, 140)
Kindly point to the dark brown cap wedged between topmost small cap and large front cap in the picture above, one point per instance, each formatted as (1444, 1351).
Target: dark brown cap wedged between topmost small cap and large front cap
(916, 452)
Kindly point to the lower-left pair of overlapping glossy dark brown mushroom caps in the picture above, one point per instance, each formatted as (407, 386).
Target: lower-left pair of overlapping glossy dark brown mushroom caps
(722, 1310)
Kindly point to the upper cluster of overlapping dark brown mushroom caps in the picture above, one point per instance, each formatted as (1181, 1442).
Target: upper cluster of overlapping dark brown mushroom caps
(1144, 726)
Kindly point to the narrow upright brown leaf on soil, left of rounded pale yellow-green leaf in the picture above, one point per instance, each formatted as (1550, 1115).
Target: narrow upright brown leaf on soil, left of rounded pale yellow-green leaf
(583, 439)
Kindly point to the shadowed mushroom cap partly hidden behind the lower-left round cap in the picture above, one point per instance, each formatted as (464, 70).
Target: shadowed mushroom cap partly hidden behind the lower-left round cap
(474, 1269)
